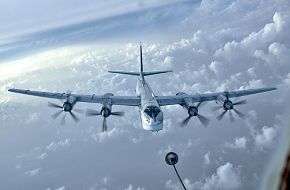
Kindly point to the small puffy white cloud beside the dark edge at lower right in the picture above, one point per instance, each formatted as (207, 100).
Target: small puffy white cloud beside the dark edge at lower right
(266, 137)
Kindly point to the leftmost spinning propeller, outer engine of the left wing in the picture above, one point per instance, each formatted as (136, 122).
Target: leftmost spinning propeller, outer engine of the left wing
(66, 107)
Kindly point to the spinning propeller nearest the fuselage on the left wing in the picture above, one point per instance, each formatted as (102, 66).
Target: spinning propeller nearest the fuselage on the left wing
(105, 112)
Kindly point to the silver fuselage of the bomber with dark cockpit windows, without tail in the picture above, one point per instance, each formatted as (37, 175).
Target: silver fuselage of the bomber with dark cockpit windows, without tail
(150, 112)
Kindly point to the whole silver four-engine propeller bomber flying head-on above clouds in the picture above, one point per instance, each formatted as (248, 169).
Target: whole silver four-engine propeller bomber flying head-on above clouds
(148, 103)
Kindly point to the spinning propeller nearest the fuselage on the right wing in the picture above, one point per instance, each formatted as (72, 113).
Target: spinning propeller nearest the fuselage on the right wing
(193, 111)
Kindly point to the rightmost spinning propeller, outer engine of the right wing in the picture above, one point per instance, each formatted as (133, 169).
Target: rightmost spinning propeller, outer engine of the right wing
(229, 106)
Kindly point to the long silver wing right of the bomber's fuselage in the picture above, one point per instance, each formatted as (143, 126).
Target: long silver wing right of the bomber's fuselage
(180, 99)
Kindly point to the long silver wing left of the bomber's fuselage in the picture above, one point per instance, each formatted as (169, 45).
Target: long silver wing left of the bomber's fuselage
(113, 100)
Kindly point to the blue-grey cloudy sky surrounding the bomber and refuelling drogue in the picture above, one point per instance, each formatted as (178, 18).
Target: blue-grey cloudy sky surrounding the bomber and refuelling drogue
(211, 45)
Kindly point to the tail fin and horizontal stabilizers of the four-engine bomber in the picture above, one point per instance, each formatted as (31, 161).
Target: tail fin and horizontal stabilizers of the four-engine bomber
(141, 73)
